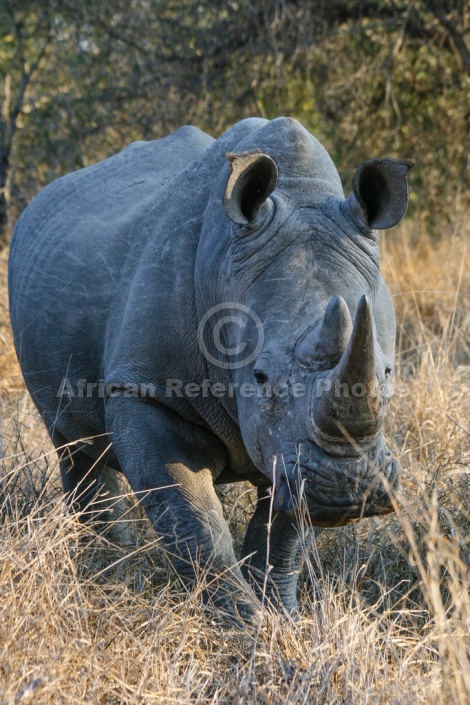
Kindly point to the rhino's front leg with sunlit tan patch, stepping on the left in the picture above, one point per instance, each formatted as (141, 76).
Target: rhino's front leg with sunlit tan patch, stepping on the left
(168, 463)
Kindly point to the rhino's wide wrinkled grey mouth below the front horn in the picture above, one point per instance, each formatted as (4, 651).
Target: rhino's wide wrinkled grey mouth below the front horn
(337, 492)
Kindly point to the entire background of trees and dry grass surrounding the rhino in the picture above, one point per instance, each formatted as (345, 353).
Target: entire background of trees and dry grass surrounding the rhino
(385, 603)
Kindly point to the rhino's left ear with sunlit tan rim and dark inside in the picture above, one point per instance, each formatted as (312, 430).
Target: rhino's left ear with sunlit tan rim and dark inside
(254, 176)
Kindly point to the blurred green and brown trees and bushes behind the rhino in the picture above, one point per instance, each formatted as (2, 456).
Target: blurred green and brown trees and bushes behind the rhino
(369, 78)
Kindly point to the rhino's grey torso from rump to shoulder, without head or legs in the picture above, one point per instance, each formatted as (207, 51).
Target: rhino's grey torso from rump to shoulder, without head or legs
(102, 272)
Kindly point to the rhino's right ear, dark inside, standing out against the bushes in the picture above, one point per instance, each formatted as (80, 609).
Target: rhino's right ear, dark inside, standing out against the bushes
(380, 188)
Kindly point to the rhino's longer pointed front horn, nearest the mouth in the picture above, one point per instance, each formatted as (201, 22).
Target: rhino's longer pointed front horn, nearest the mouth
(347, 407)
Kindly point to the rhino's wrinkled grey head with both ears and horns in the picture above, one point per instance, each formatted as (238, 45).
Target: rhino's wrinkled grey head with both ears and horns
(304, 261)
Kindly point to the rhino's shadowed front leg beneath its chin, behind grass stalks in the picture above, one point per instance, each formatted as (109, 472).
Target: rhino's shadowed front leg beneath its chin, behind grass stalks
(273, 549)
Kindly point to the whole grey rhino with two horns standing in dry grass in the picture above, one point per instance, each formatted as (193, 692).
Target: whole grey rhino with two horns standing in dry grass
(113, 268)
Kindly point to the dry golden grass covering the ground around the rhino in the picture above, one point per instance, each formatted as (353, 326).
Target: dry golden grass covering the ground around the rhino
(385, 604)
